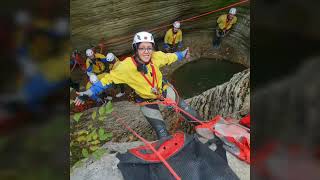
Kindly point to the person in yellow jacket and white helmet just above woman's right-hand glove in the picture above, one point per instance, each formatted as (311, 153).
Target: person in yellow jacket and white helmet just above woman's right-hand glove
(173, 38)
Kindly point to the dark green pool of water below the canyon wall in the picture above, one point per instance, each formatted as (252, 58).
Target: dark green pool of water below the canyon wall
(195, 77)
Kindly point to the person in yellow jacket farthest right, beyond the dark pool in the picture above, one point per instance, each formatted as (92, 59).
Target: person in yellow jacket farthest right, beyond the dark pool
(225, 22)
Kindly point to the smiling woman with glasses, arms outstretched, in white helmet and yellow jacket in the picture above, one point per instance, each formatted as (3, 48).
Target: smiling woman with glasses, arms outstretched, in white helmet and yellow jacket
(142, 73)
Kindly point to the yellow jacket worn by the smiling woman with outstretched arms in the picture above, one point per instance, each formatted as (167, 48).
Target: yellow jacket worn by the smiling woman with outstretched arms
(126, 72)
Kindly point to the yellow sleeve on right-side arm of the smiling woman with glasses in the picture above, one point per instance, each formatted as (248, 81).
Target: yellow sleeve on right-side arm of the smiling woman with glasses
(161, 59)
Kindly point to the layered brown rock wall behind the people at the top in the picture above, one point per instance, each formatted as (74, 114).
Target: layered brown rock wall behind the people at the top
(118, 21)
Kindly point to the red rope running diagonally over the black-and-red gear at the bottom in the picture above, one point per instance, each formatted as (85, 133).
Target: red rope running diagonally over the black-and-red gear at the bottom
(150, 146)
